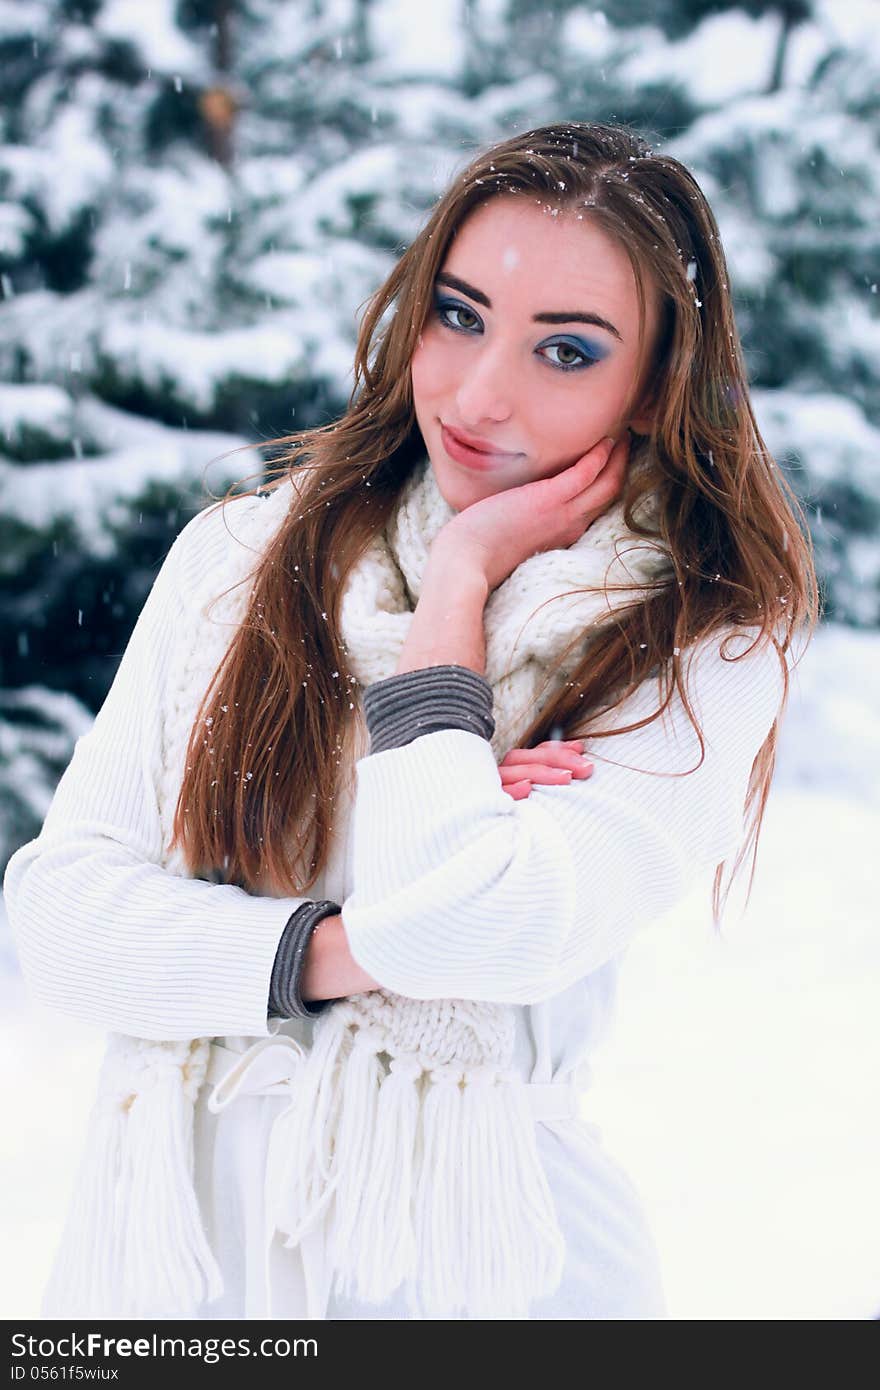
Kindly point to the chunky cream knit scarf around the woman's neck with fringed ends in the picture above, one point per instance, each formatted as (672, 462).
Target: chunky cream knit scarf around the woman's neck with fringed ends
(409, 1136)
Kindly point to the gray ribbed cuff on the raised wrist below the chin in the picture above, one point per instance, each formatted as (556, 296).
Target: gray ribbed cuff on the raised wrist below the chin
(402, 708)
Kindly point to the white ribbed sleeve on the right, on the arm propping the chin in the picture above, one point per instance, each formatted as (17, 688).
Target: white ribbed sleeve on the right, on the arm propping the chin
(459, 892)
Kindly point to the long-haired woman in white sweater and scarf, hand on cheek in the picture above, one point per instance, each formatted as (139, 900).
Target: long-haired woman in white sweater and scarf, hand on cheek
(352, 999)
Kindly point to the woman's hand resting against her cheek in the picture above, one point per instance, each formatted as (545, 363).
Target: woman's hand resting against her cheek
(498, 533)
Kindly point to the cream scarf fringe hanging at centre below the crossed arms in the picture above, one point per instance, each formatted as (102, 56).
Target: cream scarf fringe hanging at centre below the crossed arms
(434, 1179)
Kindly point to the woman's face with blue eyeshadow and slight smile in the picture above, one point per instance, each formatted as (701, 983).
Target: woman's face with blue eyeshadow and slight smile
(532, 348)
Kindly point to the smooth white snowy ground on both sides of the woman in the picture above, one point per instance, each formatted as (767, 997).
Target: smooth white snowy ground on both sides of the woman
(740, 1085)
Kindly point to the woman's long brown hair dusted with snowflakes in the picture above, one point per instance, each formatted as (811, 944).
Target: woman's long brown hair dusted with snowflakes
(738, 537)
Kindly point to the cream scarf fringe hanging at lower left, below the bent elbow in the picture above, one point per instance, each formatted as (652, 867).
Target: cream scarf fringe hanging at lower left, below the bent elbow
(134, 1245)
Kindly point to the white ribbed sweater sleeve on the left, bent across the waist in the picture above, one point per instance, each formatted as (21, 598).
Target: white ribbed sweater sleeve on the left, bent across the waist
(104, 932)
